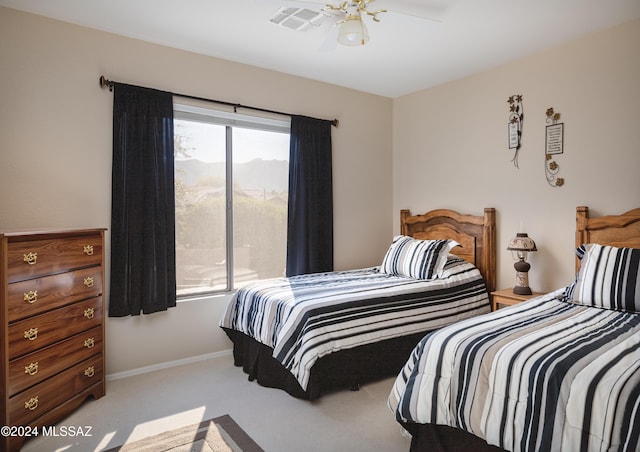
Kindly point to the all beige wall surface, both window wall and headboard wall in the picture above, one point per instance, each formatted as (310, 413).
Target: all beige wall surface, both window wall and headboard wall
(449, 150)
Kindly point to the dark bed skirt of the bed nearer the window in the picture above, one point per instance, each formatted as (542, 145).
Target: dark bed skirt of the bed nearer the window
(346, 369)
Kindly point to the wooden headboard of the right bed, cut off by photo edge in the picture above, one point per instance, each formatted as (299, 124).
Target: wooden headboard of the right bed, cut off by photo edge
(614, 230)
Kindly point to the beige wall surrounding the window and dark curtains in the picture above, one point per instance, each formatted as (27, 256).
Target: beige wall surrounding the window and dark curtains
(55, 150)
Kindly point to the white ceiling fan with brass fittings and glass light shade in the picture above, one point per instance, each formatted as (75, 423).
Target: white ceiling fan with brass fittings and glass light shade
(348, 17)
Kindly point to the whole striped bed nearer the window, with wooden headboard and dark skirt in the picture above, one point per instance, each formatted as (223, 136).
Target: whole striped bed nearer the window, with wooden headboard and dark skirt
(313, 334)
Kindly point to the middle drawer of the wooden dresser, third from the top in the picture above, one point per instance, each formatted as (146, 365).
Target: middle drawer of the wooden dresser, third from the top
(29, 335)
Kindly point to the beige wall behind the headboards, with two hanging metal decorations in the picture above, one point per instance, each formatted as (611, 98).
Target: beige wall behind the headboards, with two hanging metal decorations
(450, 146)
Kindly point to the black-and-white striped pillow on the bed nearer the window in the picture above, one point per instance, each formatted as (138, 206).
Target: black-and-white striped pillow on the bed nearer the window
(420, 259)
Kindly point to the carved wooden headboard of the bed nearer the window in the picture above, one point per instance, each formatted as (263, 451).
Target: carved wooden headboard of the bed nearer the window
(475, 233)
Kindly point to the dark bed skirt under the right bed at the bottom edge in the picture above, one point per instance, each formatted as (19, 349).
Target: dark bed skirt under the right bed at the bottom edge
(442, 438)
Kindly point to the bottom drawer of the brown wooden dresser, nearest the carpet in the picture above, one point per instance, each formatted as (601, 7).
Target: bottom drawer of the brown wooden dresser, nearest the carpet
(36, 401)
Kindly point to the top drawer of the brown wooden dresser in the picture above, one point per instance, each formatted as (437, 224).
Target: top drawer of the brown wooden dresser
(33, 258)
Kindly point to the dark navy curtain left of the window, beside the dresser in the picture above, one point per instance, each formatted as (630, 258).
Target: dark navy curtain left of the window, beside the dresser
(143, 265)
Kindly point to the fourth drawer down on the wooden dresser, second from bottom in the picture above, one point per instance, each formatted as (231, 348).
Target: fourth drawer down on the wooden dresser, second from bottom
(35, 367)
